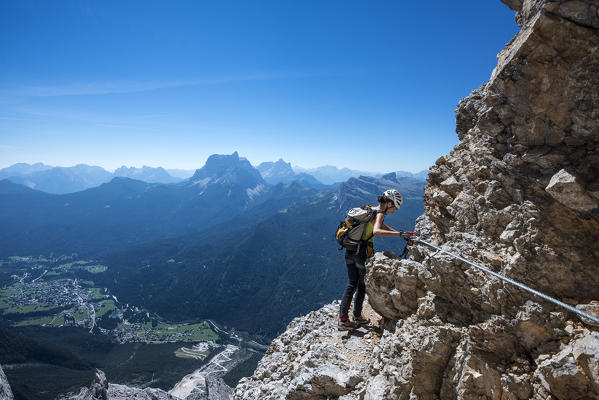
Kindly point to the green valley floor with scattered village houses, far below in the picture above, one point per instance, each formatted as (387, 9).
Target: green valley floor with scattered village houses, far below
(60, 292)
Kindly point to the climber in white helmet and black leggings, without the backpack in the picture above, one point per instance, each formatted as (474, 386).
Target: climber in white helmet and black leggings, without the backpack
(355, 260)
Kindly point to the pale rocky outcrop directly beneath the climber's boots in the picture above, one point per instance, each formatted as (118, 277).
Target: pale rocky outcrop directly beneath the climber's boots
(313, 360)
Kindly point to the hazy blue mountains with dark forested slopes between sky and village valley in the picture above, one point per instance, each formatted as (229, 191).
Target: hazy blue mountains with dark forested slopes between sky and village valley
(224, 244)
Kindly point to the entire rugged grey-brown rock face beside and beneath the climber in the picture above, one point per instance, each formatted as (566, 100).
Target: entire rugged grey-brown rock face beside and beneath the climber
(520, 195)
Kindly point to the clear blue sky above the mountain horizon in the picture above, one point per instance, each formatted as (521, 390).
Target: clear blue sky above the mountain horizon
(365, 85)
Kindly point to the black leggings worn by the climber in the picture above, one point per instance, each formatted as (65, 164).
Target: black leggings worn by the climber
(356, 269)
